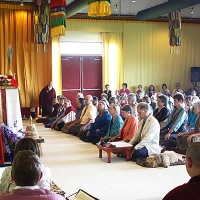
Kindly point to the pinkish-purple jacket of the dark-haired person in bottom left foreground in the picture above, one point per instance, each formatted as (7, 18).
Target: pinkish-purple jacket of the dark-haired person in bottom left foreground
(28, 194)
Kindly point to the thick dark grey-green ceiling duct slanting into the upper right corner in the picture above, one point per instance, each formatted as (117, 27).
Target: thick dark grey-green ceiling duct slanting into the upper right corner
(165, 8)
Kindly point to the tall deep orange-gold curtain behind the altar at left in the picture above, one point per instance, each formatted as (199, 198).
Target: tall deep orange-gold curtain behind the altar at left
(30, 63)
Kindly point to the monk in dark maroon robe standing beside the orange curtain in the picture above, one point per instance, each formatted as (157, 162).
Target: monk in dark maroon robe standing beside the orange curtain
(46, 96)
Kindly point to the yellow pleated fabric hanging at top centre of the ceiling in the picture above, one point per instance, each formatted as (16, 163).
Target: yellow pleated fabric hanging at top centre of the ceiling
(99, 8)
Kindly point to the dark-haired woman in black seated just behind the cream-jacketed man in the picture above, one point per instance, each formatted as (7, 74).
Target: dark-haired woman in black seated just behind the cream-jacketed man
(161, 113)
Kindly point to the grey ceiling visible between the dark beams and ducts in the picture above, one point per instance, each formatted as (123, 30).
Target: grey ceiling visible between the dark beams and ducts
(127, 7)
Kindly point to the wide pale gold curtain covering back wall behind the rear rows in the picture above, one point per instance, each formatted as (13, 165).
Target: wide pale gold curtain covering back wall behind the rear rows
(147, 58)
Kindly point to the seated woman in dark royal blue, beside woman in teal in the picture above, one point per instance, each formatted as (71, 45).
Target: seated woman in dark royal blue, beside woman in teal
(100, 127)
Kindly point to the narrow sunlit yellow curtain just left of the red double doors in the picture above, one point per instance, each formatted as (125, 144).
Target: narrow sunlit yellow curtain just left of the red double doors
(56, 65)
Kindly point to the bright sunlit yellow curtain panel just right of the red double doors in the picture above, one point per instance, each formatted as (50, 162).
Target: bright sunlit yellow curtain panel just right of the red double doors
(112, 72)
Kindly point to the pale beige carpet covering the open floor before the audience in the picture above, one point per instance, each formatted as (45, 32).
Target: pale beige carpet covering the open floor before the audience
(75, 165)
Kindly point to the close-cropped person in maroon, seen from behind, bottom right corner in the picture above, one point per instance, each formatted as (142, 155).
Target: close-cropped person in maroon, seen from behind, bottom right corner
(190, 190)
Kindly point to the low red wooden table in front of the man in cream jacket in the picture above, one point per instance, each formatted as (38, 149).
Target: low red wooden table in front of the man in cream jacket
(109, 150)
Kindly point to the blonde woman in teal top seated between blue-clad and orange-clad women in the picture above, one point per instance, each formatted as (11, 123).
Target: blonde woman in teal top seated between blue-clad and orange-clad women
(116, 123)
